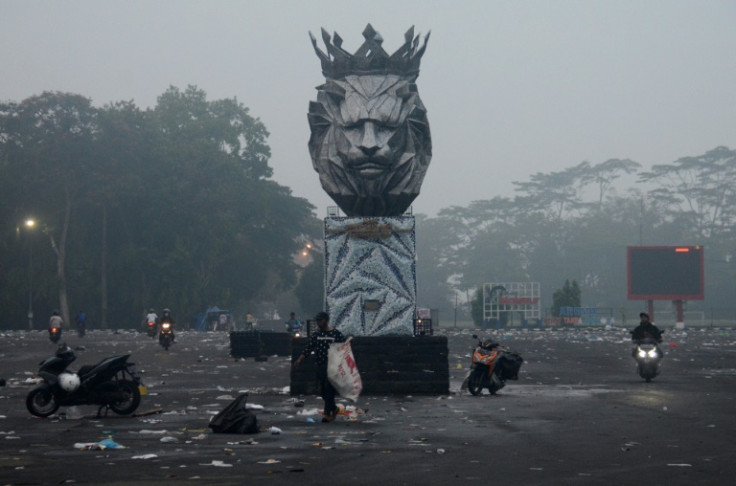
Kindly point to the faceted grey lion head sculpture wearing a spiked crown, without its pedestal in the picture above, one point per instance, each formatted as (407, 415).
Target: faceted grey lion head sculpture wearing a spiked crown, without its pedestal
(370, 139)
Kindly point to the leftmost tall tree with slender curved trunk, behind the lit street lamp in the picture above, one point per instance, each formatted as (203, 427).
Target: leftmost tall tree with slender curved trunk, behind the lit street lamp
(48, 149)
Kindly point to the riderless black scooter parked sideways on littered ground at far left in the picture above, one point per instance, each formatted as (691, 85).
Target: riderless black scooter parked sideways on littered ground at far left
(112, 384)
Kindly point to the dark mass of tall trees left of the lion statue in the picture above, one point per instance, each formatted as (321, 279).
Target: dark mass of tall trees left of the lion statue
(171, 206)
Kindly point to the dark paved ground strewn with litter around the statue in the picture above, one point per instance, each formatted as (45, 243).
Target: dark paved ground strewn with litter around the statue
(578, 415)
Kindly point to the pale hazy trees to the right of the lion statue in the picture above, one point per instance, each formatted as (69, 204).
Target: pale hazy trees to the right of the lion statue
(575, 225)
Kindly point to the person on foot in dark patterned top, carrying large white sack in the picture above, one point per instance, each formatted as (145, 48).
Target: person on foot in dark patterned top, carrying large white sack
(318, 345)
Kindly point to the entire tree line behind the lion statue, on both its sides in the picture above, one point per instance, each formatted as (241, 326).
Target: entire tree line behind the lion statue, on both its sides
(174, 206)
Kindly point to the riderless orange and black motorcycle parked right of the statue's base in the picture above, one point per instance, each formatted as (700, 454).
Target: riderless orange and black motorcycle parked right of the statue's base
(492, 365)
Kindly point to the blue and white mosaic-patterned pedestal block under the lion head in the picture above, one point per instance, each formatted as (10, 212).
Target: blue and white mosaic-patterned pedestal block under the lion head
(371, 261)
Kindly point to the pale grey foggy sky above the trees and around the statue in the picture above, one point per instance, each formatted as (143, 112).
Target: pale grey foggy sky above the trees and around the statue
(512, 88)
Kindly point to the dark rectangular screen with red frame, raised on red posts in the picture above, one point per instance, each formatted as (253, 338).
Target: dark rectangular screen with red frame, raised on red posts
(665, 272)
